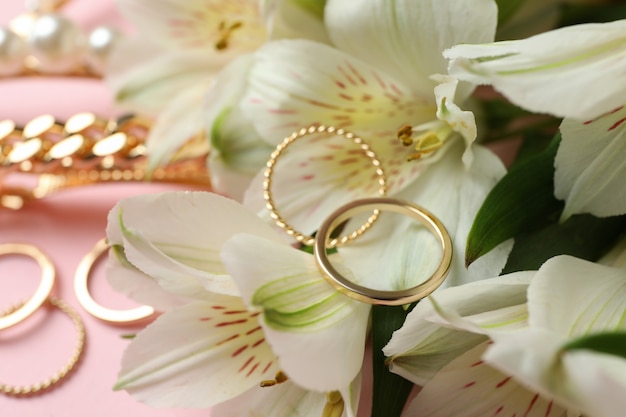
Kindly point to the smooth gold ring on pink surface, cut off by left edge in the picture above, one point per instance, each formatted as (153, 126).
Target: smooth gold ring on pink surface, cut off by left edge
(43, 290)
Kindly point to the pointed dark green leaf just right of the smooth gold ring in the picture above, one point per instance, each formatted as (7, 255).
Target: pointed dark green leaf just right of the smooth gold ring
(522, 200)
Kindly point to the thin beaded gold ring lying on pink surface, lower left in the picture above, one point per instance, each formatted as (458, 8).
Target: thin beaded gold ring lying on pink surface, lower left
(78, 349)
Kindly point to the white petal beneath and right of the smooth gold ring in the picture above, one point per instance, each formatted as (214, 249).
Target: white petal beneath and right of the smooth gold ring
(453, 194)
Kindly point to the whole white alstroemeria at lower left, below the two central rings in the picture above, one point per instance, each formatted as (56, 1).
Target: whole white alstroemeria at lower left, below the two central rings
(251, 305)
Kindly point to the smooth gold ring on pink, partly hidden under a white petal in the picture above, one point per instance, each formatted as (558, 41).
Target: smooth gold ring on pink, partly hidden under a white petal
(86, 300)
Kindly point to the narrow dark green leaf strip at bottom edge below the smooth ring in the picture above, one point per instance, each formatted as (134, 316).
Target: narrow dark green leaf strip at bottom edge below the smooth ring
(390, 390)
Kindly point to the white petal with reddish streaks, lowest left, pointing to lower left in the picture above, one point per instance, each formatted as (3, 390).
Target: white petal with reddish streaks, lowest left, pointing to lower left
(197, 355)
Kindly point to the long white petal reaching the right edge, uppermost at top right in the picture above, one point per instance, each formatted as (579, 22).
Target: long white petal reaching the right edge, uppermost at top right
(578, 67)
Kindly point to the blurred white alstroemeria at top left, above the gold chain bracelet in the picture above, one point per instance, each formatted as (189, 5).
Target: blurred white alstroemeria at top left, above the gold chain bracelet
(167, 67)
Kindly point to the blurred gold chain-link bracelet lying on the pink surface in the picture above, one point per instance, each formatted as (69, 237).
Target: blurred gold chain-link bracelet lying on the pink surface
(86, 150)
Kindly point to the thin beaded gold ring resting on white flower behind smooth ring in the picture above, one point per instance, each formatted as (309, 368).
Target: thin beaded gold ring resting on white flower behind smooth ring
(269, 170)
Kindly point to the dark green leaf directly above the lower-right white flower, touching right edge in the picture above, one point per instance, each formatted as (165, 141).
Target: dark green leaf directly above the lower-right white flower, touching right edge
(583, 236)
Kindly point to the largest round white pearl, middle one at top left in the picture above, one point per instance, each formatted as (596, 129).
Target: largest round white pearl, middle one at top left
(57, 44)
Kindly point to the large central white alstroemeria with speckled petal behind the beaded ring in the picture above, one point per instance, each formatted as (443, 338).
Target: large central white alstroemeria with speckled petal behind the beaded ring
(374, 78)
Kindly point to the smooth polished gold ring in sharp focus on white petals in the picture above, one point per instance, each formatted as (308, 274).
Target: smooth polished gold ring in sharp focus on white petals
(378, 297)
